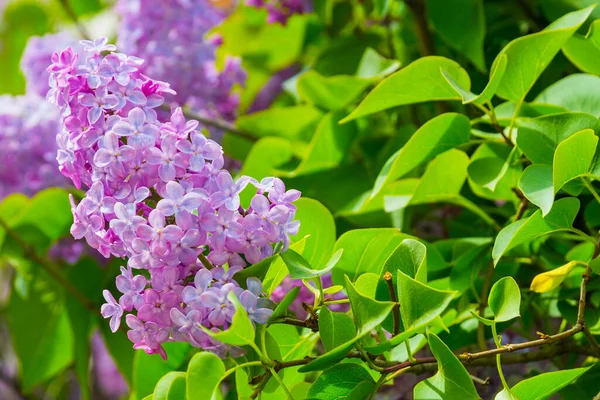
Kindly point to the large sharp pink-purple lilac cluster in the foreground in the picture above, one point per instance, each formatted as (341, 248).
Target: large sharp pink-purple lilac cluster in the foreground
(158, 195)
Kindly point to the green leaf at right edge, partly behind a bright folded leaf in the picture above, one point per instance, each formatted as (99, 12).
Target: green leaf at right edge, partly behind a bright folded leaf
(539, 137)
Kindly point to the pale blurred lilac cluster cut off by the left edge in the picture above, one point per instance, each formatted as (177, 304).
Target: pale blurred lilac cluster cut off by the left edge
(28, 127)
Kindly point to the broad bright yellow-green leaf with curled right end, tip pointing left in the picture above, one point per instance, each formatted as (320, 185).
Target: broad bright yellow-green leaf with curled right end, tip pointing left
(406, 86)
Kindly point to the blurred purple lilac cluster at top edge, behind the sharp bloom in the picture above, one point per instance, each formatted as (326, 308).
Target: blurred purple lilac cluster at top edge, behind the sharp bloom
(171, 35)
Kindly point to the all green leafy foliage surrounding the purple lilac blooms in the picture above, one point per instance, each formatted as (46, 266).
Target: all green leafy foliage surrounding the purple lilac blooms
(447, 153)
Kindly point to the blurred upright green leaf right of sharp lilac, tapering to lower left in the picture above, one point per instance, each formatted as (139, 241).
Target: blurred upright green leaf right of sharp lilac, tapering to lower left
(328, 147)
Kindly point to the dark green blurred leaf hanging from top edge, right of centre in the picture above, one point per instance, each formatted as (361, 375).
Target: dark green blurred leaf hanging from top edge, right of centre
(461, 23)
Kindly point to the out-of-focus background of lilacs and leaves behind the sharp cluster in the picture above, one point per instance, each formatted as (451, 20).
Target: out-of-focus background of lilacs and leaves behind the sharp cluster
(227, 61)
